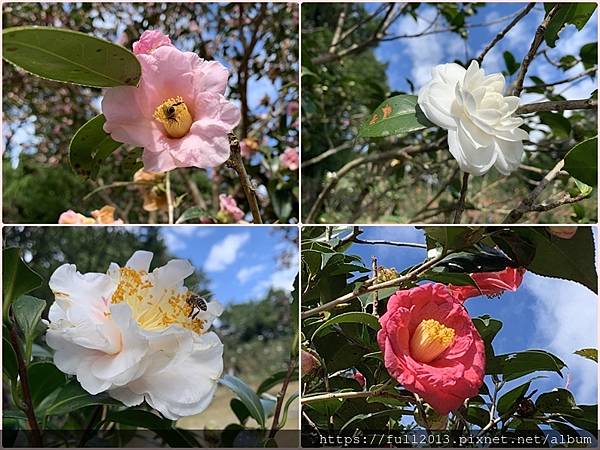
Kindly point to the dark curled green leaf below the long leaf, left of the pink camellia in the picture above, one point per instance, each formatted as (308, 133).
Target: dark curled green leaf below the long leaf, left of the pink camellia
(90, 146)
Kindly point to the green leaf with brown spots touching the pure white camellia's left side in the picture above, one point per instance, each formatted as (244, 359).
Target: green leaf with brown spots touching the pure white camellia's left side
(396, 115)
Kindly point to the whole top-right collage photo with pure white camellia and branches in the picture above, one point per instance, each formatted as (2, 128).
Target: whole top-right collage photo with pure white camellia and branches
(525, 146)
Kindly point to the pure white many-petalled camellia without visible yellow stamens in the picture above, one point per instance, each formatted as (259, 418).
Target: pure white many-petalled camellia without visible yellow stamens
(482, 131)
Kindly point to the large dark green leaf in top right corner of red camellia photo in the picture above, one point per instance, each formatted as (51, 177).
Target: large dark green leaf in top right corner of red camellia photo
(569, 259)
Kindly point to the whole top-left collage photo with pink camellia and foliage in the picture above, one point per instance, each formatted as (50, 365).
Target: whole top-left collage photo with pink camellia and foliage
(157, 124)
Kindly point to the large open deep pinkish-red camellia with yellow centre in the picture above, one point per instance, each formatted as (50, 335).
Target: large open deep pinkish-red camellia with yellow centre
(431, 346)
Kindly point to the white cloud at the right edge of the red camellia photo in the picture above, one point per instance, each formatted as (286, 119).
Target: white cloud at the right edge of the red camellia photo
(566, 320)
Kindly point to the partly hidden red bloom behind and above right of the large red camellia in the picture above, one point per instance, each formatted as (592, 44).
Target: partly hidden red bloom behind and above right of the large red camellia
(491, 284)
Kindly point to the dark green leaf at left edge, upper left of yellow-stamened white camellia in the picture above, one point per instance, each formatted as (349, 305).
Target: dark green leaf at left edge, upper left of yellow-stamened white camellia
(17, 277)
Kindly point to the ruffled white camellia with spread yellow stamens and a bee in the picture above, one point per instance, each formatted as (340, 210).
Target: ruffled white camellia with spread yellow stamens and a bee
(129, 332)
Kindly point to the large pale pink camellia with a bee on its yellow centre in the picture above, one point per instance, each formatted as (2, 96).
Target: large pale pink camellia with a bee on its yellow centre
(177, 113)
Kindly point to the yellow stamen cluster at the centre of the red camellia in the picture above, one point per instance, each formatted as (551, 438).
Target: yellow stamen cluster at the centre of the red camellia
(429, 340)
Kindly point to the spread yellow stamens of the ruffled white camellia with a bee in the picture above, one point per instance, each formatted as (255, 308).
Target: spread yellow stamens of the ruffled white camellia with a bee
(152, 308)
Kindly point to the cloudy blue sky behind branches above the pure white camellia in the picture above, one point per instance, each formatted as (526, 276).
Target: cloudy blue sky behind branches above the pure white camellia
(413, 58)
